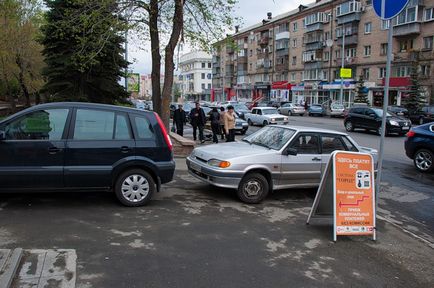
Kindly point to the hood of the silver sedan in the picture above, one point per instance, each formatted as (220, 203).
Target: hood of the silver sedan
(226, 151)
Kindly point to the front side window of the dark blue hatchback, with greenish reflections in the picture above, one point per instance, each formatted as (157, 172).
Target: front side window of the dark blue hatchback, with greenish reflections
(46, 124)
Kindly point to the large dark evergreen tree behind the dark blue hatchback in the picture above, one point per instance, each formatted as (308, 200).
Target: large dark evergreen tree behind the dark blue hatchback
(83, 51)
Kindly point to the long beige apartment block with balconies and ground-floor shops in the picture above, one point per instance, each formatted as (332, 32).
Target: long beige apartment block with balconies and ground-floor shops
(297, 56)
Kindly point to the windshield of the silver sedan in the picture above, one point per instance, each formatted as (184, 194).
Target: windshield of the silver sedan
(270, 137)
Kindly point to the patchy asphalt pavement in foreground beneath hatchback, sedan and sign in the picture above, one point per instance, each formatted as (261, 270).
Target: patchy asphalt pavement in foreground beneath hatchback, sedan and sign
(194, 235)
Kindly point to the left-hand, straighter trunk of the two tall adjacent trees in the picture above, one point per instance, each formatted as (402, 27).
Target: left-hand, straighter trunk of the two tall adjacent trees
(155, 55)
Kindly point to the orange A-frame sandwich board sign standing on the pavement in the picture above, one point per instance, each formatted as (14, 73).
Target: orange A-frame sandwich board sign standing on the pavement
(346, 193)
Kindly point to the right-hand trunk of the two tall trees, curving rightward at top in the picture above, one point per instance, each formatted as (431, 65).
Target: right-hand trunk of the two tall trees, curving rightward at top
(169, 66)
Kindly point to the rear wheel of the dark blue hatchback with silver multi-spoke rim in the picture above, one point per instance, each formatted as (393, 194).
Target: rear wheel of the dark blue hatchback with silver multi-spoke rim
(134, 188)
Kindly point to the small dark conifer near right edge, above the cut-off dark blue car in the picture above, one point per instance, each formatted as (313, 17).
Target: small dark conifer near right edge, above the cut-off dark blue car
(415, 98)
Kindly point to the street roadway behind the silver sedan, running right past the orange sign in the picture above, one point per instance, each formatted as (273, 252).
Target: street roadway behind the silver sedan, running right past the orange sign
(407, 196)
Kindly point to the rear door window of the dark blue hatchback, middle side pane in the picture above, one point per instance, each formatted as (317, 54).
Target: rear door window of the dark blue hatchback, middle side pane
(94, 125)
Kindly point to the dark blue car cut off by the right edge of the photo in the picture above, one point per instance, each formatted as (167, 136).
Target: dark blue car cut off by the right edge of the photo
(419, 146)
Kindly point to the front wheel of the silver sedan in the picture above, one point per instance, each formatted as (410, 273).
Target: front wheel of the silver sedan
(253, 188)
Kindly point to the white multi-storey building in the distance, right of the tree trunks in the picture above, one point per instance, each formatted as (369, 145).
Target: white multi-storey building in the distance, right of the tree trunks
(195, 76)
